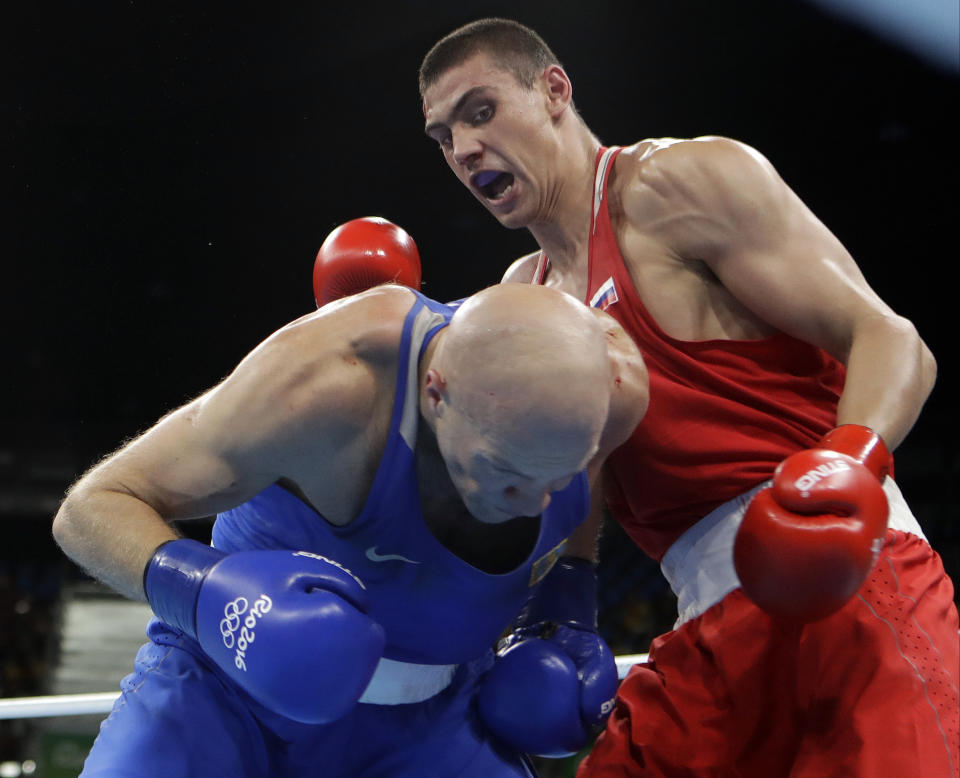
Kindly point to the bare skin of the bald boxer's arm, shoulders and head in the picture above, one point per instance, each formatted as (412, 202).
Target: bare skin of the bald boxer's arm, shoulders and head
(310, 407)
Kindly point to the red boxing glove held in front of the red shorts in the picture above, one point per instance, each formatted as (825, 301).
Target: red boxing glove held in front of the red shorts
(808, 542)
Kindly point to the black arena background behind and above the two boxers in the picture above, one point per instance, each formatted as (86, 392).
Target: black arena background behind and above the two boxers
(170, 171)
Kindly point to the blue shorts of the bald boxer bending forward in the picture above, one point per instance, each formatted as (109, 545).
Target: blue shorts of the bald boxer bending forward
(179, 715)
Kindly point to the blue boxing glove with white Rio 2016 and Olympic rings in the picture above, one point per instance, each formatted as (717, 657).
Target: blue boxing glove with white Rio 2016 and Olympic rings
(289, 627)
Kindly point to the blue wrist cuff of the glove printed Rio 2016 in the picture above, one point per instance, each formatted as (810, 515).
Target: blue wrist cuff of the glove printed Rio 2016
(172, 580)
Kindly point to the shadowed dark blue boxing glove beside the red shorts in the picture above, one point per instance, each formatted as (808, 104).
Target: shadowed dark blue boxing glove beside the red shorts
(555, 678)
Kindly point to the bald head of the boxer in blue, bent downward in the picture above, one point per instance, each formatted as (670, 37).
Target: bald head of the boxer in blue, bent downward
(525, 370)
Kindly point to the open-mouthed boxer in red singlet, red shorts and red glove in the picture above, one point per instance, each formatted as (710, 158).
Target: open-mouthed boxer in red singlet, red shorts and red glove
(817, 633)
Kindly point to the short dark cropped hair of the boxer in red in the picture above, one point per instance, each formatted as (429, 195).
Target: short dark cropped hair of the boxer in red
(512, 46)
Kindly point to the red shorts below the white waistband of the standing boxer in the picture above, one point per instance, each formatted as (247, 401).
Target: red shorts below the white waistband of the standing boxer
(869, 691)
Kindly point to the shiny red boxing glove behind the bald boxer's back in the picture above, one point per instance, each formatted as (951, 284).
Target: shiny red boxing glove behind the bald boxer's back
(363, 253)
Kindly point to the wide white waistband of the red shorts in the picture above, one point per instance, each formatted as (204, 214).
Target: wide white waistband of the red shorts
(699, 565)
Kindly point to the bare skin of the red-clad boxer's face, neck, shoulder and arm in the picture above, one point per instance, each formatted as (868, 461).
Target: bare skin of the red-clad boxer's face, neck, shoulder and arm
(706, 221)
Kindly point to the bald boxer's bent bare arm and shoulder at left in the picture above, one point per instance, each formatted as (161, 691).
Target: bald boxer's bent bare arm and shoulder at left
(290, 410)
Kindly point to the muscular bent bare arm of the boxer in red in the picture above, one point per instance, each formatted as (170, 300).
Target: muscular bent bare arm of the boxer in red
(726, 206)
